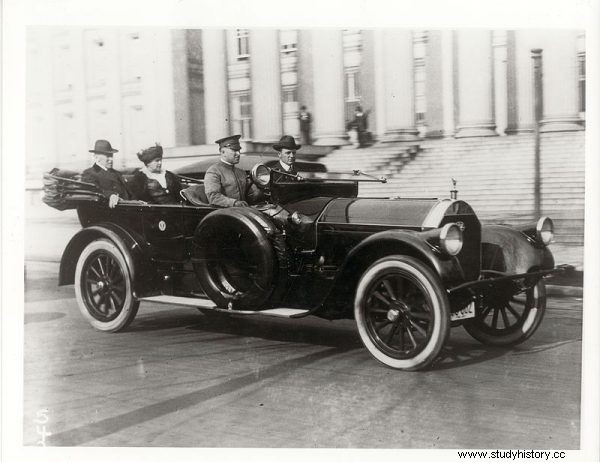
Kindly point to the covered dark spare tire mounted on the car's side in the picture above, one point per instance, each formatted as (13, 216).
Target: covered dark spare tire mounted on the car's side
(238, 261)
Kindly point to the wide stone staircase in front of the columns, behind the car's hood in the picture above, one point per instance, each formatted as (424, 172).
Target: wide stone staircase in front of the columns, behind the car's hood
(495, 175)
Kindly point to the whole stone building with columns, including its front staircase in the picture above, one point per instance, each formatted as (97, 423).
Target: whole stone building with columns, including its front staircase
(464, 97)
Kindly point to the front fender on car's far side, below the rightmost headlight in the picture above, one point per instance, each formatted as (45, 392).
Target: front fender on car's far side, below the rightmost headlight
(509, 251)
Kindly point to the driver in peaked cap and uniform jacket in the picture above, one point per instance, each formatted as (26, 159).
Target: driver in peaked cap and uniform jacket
(224, 183)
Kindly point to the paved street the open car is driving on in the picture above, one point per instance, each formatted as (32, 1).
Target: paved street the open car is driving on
(179, 378)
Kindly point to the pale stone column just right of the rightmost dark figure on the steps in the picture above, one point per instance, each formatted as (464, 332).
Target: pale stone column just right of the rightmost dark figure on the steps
(398, 76)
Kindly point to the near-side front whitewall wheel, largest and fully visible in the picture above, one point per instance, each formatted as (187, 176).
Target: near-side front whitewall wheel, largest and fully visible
(402, 312)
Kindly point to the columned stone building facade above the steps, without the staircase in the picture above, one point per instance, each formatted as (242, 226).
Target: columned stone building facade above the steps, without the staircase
(187, 88)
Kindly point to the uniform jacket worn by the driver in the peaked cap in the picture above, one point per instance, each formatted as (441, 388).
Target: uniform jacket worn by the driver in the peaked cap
(224, 184)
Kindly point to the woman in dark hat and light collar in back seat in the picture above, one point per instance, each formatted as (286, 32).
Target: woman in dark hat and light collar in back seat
(153, 184)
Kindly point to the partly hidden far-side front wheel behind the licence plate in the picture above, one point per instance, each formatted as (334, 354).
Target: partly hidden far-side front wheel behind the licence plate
(509, 317)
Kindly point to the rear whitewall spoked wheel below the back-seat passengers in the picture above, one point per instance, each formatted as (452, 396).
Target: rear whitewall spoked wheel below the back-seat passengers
(103, 287)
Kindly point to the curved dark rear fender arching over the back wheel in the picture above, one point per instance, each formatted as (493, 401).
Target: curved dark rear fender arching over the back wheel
(132, 247)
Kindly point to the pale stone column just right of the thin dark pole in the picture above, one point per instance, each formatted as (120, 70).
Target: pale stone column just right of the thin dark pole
(559, 58)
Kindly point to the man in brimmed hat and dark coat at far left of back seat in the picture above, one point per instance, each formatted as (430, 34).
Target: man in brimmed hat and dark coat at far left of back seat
(107, 179)
